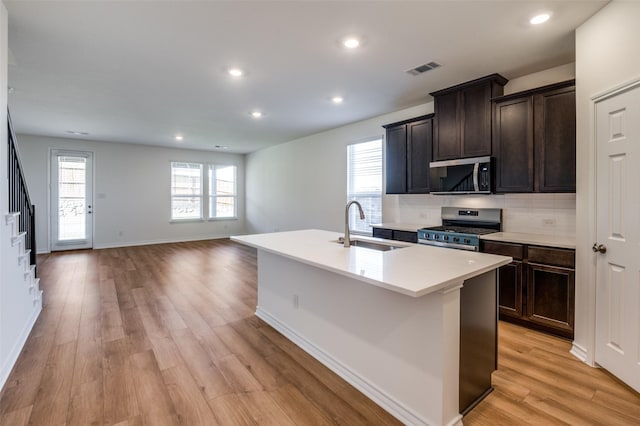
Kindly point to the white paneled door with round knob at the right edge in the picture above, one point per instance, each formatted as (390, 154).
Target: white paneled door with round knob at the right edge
(618, 232)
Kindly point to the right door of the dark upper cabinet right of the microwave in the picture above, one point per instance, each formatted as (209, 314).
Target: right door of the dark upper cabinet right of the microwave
(555, 140)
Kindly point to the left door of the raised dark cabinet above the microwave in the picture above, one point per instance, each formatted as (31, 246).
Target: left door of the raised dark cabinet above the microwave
(446, 140)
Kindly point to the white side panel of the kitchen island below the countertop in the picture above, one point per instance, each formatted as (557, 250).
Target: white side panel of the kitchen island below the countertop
(401, 351)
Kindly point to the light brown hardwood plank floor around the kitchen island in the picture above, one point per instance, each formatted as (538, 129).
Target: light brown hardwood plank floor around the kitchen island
(166, 334)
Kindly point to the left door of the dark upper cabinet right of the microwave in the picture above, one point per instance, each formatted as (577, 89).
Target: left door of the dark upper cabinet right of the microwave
(513, 145)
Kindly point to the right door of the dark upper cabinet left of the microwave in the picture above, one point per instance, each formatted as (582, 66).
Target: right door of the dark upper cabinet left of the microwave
(419, 141)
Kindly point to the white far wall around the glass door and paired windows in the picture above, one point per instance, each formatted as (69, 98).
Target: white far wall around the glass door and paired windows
(131, 191)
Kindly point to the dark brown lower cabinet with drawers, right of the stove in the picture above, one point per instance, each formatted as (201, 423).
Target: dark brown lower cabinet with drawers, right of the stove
(537, 289)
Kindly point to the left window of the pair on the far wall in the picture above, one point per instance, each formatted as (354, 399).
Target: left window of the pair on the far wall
(186, 191)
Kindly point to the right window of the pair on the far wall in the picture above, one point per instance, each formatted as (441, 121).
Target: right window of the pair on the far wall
(222, 191)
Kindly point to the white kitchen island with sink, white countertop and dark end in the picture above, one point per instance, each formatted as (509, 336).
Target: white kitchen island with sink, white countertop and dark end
(388, 322)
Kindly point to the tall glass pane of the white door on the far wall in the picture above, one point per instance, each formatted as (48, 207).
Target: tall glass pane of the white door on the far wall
(72, 186)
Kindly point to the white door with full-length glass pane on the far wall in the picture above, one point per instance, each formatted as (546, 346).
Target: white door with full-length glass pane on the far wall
(71, 200)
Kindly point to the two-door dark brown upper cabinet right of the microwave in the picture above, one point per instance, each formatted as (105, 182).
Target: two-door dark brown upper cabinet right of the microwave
(534, 140)
